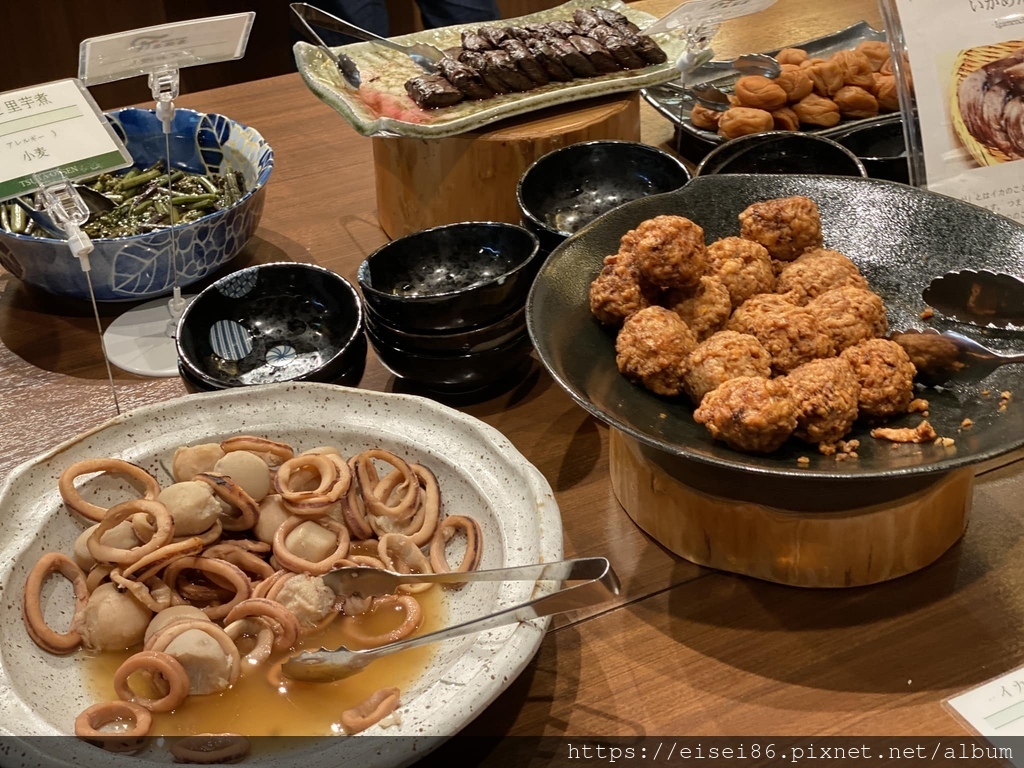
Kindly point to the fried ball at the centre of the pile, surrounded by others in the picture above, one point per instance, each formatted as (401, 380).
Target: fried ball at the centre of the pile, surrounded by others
(791, 334)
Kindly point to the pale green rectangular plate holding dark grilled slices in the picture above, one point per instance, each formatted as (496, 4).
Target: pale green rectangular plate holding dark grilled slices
(385, 73)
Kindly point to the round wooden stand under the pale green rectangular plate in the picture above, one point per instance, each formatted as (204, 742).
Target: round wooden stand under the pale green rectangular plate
(473, 177)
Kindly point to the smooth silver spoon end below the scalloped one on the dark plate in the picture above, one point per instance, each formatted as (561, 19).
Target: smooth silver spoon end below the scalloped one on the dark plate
(949, 357)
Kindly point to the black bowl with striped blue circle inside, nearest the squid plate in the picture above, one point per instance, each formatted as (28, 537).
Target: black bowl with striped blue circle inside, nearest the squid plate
(271, 323)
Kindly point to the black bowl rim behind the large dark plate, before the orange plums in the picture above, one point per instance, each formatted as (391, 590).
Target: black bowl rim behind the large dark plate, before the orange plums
(782, 152)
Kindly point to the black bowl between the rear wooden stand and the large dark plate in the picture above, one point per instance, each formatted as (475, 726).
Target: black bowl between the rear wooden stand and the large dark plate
(568, 189)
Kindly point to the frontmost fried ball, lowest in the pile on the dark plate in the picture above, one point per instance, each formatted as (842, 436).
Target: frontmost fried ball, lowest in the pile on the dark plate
(750, 414)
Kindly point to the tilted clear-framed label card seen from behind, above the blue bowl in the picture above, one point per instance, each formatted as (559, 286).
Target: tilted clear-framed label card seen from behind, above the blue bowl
(178, 46)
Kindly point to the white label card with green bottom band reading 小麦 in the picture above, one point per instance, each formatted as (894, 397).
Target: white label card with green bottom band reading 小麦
(56, 129)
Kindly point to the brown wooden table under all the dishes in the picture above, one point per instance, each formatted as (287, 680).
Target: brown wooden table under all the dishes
(687, 651)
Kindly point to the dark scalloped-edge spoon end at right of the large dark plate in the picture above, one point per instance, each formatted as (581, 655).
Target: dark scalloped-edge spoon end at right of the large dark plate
(979, 297)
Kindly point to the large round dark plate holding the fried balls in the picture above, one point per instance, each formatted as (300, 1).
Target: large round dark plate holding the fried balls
(901, 237)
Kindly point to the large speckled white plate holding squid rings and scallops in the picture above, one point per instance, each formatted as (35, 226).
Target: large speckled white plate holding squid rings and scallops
(481, 475)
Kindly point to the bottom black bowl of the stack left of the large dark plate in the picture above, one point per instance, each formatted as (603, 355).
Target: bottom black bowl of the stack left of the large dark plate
(457, 373)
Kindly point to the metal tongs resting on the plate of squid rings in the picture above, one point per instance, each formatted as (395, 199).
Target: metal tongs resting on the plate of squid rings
(325, 666)
